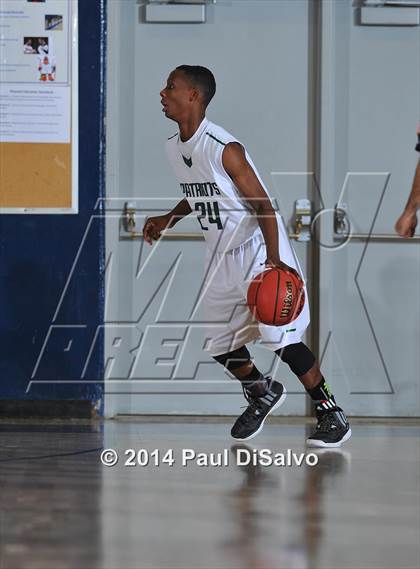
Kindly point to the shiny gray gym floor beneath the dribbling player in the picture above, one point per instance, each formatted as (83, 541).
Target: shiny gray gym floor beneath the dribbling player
(61, 508)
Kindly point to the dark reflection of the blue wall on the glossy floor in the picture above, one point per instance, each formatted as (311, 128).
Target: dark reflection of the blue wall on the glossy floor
(50, 479)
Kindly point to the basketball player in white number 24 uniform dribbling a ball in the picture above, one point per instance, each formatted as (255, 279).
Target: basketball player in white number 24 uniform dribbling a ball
(220, 182)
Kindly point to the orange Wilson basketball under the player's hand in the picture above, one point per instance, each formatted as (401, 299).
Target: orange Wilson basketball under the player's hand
(276, 297)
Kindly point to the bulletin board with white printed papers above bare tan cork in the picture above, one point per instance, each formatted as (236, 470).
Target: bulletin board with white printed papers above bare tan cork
(38, 107)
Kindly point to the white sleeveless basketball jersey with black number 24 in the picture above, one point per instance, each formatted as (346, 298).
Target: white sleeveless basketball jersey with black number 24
(225, 217)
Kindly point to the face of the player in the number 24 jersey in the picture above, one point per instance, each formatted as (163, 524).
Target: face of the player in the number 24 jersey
(177, 96)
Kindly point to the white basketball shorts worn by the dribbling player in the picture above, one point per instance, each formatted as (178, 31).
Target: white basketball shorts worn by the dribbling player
(230, 324)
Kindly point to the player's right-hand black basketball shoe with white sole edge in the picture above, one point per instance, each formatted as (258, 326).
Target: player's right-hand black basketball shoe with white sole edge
(331, 431)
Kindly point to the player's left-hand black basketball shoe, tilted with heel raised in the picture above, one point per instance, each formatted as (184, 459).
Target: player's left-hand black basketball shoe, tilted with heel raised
(250, 423)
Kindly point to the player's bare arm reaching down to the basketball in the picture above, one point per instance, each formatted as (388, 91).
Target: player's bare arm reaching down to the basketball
(247, 182)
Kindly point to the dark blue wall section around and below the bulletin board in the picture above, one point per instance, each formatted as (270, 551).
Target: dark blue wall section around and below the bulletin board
(51, 266)
